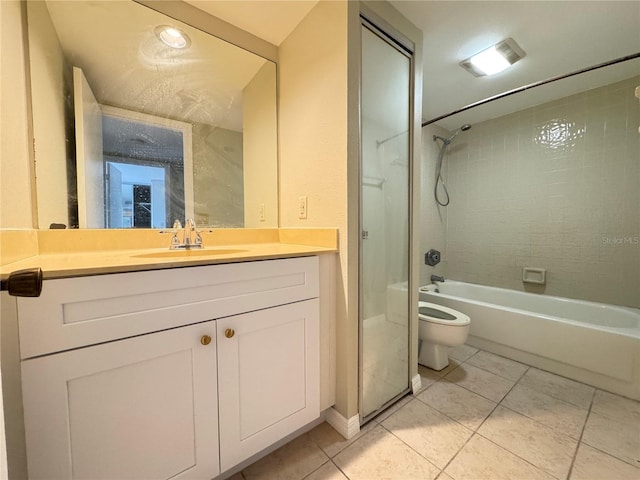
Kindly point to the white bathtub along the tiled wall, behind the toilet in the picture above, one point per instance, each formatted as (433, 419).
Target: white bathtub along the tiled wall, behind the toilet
(594, 343)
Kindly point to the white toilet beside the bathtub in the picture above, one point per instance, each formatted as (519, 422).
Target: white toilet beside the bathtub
(439, 328)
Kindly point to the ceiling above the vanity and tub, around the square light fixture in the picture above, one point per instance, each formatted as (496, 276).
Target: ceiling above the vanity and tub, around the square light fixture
(558, 37)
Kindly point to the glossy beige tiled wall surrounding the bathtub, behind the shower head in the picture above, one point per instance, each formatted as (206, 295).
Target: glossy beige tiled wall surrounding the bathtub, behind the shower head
(556, 186)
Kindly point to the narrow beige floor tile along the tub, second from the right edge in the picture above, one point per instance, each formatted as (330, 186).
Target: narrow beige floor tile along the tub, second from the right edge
(558, 387)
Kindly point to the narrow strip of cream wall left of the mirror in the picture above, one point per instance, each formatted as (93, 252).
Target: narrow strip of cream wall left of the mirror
(15, 165)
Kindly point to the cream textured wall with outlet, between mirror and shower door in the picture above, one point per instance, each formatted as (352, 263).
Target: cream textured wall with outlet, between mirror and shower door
(313, 116)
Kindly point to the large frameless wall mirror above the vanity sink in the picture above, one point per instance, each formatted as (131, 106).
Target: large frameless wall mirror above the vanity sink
(140, 119)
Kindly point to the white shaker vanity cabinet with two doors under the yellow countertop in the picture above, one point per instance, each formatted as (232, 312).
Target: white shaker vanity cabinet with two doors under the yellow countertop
(180, 373)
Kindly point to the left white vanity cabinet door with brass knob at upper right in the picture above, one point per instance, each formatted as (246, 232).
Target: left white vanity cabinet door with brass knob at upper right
(141, 408)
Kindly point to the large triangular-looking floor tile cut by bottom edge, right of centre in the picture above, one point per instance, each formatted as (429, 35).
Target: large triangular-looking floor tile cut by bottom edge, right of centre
(481, 459)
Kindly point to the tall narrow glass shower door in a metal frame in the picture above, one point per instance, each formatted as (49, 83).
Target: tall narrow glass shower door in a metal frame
(384, 220)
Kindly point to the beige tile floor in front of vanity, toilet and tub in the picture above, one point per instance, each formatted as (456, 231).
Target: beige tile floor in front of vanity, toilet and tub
(483, 417)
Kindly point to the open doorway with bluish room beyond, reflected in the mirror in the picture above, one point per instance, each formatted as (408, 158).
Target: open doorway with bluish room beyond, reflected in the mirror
(145, 154)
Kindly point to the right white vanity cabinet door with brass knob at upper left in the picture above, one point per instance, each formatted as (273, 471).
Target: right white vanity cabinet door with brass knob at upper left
(268, 377)
